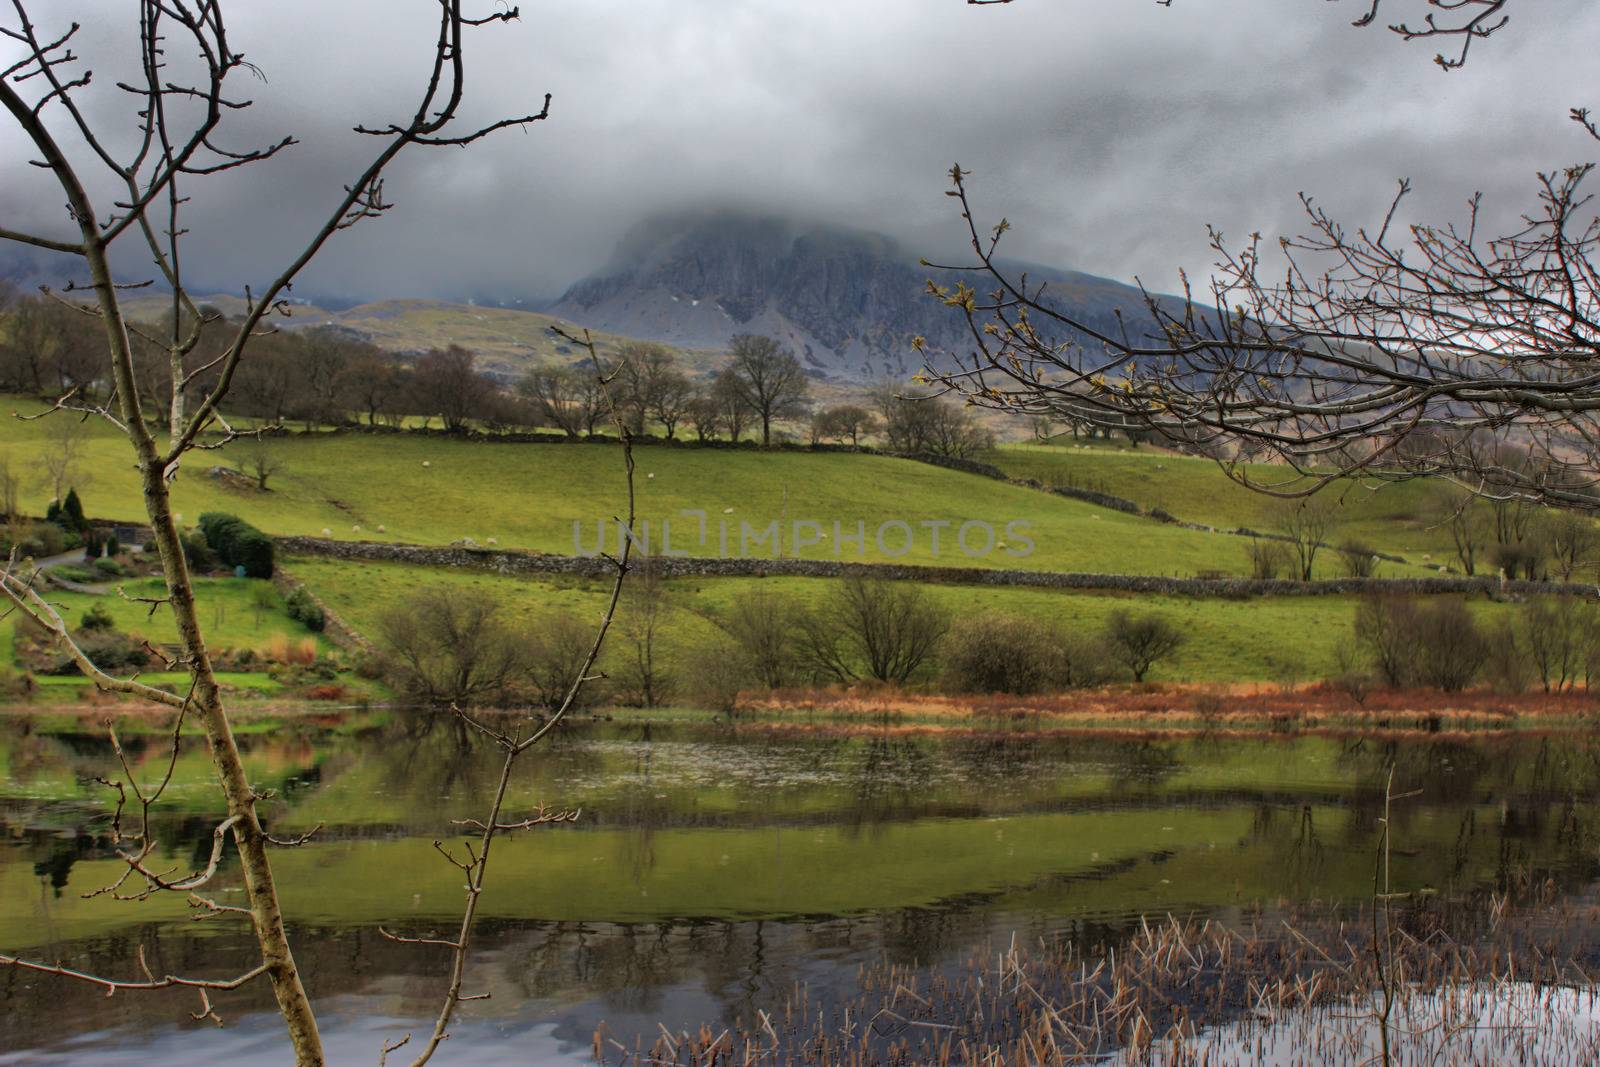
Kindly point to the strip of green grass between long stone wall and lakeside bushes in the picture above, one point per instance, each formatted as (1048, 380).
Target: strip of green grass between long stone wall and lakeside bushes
(1230, 641)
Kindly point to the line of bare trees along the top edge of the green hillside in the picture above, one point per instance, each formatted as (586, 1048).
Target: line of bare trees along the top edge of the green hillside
(324, 377)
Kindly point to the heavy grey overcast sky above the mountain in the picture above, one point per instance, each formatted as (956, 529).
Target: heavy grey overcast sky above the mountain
(1111, 132)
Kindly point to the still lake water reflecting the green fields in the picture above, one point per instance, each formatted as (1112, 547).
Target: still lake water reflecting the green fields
(714, 868)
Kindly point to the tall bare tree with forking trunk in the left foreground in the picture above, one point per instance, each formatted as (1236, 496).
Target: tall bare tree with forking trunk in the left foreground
(182, 95)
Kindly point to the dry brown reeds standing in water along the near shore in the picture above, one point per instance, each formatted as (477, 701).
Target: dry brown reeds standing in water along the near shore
(1270, 988)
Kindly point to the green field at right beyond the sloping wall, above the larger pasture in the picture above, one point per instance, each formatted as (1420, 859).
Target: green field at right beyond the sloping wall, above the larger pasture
(1393, 518)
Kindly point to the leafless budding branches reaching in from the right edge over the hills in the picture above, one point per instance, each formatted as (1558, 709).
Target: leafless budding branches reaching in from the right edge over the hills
(1434, 353)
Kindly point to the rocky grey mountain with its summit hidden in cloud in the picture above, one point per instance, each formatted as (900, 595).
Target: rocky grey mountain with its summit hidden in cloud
(849, 303)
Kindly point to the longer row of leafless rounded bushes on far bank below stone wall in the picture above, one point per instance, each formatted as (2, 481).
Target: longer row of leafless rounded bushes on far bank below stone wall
(452, 647)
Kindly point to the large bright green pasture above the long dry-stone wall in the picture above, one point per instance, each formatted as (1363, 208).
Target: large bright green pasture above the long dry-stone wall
(434, 492)
